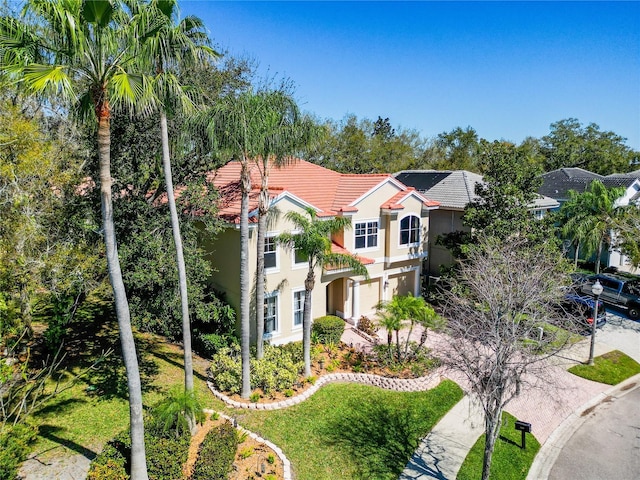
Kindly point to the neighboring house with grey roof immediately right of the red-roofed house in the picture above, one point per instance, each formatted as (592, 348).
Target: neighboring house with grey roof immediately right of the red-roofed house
(453, 190)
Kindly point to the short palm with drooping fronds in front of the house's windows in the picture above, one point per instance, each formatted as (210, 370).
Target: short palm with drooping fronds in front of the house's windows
(312, 239)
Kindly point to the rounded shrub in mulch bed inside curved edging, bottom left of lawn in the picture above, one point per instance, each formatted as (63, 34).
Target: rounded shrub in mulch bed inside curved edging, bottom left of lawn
(217, 453)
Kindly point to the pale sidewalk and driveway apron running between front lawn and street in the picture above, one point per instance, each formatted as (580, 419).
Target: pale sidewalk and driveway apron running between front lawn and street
(553, 409)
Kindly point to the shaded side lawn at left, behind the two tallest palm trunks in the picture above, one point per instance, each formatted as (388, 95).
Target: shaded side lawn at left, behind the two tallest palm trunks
(83, 418)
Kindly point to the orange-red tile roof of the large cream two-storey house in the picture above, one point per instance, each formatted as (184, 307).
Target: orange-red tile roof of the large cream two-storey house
(327, 191)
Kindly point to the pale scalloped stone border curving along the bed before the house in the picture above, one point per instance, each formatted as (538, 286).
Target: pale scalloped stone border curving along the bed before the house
(397, 384)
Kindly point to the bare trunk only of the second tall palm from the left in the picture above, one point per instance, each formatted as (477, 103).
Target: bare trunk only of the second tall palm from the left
(182, 271)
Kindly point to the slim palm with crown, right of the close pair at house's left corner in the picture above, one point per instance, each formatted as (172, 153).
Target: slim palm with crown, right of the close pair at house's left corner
(285, 132)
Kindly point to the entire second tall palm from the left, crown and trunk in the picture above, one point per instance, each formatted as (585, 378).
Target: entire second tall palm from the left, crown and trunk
(174, 45)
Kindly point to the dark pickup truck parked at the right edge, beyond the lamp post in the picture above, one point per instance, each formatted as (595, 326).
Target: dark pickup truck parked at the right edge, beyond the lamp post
(617, 291)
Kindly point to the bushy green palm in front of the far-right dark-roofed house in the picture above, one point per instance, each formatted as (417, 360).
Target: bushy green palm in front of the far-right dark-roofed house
(591, 216)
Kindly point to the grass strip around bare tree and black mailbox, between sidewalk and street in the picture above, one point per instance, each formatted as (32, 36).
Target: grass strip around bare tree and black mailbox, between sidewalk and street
(509, 461)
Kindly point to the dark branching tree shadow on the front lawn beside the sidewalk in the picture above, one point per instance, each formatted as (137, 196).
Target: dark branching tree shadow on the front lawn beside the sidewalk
(379, 439)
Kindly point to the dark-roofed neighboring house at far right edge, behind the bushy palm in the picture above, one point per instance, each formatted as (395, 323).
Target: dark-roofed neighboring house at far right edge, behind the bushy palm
(557, 184)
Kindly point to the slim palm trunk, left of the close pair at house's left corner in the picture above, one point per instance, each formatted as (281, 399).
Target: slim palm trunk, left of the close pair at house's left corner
(245, 323)
